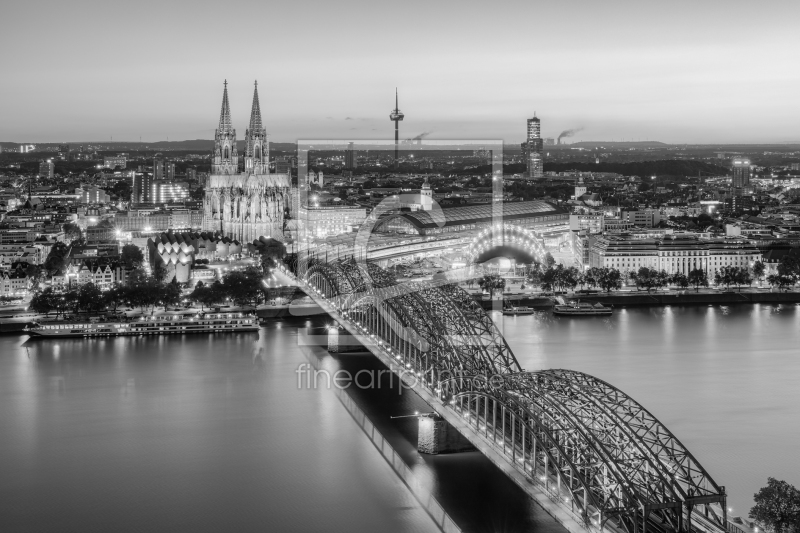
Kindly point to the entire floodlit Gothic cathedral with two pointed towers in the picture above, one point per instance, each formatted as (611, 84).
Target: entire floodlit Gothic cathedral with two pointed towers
(244, 204)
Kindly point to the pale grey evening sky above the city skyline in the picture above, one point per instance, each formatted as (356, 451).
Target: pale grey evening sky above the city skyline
(679, 72)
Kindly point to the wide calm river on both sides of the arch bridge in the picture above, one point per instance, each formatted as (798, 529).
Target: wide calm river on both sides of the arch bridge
(211, 432)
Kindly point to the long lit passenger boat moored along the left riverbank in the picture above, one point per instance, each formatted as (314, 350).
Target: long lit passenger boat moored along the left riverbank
(152, 325)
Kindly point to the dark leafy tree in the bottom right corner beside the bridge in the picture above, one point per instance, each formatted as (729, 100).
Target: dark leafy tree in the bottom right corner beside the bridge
(777, 507)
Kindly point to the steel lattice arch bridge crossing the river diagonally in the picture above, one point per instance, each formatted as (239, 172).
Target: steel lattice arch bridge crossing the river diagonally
(603, 457)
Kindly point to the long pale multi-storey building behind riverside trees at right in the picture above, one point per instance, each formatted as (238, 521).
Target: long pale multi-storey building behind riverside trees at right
(677, 253)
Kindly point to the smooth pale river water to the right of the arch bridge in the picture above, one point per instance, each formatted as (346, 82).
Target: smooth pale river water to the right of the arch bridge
(723, 379)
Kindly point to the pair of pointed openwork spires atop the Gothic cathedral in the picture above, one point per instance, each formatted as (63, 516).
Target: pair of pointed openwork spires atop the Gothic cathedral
(256, 155)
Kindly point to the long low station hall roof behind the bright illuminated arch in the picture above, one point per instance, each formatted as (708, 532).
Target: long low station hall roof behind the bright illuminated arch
(475, 214)
